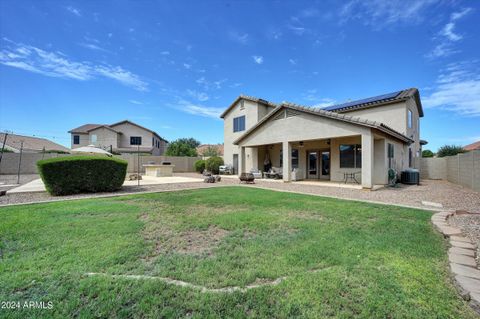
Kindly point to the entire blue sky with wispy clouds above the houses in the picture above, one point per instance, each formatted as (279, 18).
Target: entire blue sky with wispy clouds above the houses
(173, 66)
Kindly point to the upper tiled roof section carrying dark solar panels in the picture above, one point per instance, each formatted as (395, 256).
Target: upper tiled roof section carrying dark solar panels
(379, 100)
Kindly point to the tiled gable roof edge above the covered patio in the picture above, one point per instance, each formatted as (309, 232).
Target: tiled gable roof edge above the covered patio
(331, 115)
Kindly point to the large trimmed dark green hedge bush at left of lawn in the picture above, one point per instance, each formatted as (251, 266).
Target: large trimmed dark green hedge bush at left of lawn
(82, 174)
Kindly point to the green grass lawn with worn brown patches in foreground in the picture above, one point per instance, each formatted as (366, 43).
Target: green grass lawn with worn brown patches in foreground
(342, 259)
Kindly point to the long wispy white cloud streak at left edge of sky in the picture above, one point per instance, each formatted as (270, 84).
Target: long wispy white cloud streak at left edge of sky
(56, 64)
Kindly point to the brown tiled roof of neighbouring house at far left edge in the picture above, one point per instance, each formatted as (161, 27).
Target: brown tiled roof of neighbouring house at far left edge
(31, 144)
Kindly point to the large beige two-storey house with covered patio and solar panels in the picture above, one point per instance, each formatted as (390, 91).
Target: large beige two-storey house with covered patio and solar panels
(366, 137)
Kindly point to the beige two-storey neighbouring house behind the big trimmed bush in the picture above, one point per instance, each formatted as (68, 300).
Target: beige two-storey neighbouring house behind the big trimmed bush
(121, 137)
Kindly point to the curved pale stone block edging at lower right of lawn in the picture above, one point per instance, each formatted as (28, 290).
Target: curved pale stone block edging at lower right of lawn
(461, 256)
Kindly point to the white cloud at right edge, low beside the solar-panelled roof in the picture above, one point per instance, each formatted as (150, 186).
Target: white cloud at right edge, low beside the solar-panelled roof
(457, 89)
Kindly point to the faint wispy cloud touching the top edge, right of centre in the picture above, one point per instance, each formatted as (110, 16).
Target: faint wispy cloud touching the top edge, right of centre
(379, 13)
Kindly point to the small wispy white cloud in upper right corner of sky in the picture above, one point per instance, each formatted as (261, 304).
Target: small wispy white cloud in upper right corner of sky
(448, 36)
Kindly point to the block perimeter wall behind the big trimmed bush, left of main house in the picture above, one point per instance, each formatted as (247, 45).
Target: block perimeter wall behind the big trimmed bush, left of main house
(9, 163)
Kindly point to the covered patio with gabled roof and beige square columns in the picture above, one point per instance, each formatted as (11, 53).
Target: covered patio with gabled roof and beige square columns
(336, 149)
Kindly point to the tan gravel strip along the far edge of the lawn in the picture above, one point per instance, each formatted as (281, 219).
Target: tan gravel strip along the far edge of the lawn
(451, 196)
